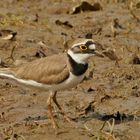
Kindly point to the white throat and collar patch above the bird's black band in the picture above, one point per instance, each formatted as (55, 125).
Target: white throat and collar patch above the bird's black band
(79, 58)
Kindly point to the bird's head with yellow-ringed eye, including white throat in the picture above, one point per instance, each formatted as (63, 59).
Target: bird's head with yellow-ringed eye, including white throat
(83, 49)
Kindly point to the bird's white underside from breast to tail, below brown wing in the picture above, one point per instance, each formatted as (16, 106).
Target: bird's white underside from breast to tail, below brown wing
(72, 81)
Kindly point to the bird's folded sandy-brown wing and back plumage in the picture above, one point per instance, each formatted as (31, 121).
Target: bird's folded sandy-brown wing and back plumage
(49, 70)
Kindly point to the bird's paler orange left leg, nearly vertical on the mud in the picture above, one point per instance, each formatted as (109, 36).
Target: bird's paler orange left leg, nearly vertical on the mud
(49, 106)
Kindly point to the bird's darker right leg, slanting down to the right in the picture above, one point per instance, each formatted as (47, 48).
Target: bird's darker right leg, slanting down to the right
(60, 108)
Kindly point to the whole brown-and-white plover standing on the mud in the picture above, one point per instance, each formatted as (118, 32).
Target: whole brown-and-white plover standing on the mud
(56, 72)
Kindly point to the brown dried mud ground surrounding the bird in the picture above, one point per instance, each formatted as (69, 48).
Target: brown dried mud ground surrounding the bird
(109, 91)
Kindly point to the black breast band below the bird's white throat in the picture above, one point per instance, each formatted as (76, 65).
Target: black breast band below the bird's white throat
(77, 68)
